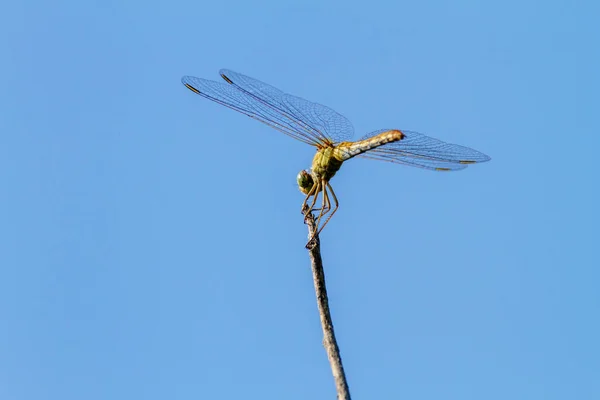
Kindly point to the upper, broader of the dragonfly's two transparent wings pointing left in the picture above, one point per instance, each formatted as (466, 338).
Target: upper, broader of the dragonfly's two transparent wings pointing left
(319, 121)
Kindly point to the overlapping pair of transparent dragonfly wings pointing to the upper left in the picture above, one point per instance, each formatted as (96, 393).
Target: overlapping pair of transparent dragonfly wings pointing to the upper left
(303, 120)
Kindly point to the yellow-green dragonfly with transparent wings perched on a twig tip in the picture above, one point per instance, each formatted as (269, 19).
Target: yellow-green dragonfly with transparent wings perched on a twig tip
(330, 132)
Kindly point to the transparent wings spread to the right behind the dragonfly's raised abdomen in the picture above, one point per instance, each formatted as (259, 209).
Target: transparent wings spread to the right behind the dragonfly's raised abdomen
(422, 151)
